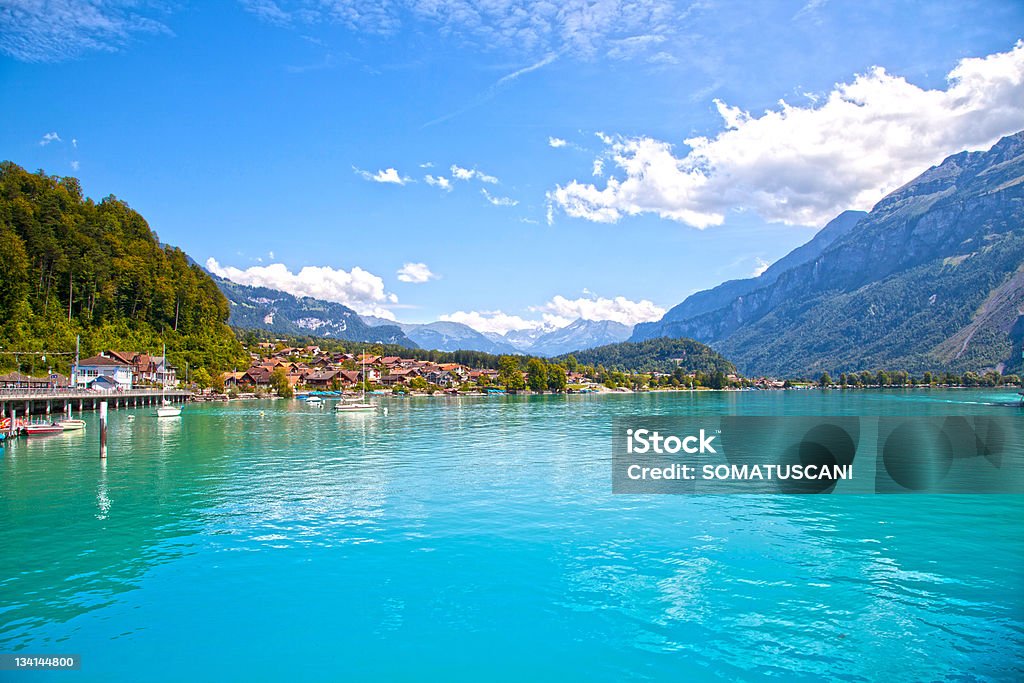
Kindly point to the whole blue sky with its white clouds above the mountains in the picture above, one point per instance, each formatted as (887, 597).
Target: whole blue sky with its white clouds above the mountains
(615, 158)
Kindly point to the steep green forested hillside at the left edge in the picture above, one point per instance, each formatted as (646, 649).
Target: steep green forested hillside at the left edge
(72, 266)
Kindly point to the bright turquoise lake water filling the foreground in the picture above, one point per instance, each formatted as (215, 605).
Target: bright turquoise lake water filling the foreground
(478, 539)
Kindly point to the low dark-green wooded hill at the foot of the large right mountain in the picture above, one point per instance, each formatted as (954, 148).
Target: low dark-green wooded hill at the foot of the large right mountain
(661, 355)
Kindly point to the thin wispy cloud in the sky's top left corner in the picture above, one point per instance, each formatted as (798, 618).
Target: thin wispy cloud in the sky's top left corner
(60, 30)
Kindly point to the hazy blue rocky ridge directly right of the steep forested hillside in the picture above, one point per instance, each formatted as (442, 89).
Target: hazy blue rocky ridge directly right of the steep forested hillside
(264, 309)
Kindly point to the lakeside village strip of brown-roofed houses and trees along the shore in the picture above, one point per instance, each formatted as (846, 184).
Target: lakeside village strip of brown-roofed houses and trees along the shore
(279, 370)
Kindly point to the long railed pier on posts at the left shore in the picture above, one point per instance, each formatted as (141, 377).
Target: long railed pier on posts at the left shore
(46, 402)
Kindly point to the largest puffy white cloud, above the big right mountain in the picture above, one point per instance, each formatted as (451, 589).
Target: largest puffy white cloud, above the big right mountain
(806, 164)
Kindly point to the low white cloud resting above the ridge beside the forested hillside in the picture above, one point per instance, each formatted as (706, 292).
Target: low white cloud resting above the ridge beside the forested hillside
(358, 289)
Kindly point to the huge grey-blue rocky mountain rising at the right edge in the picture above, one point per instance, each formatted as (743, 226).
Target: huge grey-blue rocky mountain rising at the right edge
(930, 279)
